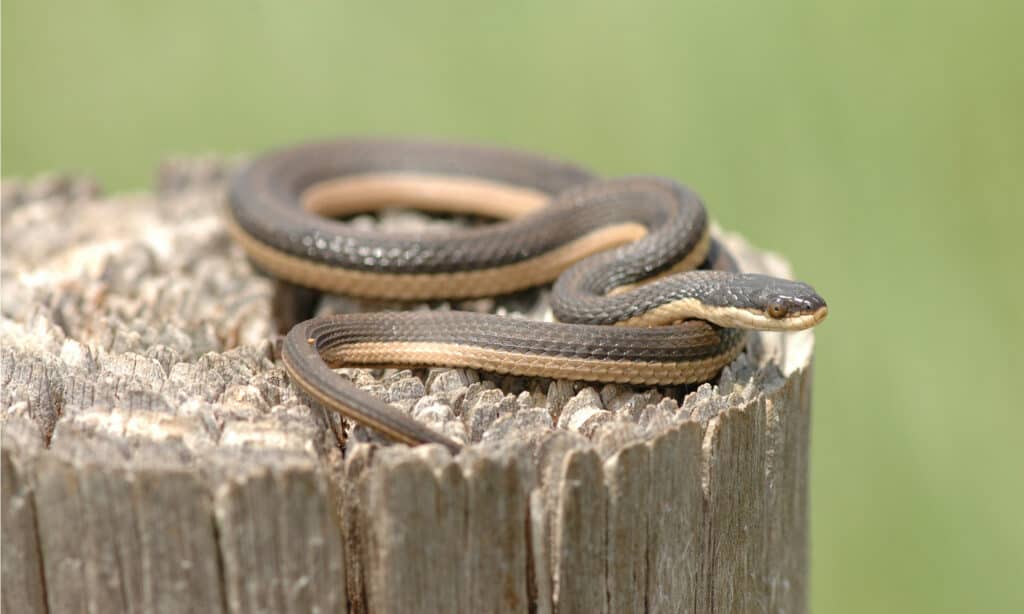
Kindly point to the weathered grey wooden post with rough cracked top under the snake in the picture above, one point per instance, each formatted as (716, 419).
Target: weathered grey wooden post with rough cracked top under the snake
(156, 460)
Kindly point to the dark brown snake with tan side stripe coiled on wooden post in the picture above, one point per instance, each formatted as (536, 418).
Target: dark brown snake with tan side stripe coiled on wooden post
(642, 293)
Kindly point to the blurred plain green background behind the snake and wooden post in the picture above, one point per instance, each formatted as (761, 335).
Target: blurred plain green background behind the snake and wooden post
(877, 145)
